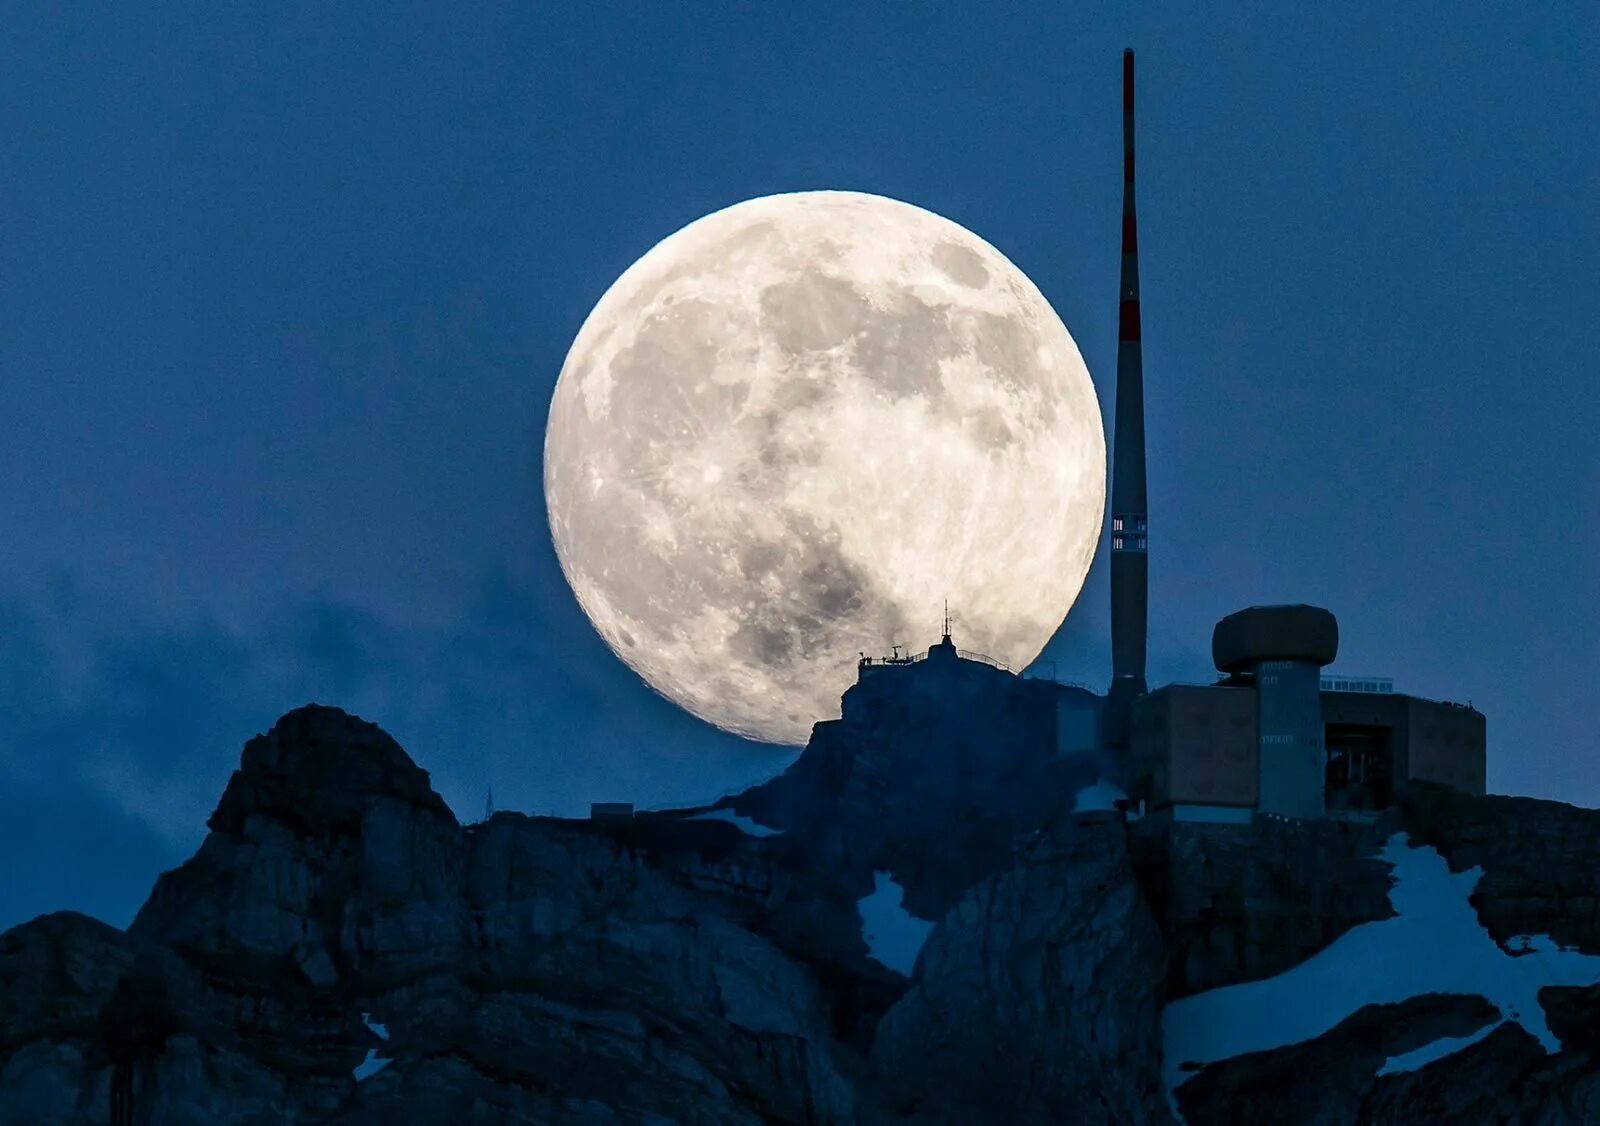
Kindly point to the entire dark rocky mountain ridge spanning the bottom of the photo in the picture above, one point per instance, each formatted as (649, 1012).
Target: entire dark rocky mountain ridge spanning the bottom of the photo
(343, 951)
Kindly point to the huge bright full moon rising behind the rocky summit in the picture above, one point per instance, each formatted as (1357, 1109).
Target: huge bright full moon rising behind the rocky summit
(794, 429)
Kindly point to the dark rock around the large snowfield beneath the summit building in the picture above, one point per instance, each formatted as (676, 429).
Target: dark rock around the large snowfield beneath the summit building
(1236, 906)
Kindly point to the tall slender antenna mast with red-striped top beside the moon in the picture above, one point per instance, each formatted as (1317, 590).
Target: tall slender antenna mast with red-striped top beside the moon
(1129, 514)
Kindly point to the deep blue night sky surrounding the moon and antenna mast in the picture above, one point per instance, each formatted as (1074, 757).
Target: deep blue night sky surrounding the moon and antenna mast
(284, 297)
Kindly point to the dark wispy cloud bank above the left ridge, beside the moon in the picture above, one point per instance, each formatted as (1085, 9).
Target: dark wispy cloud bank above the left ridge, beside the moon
(118, 735)
